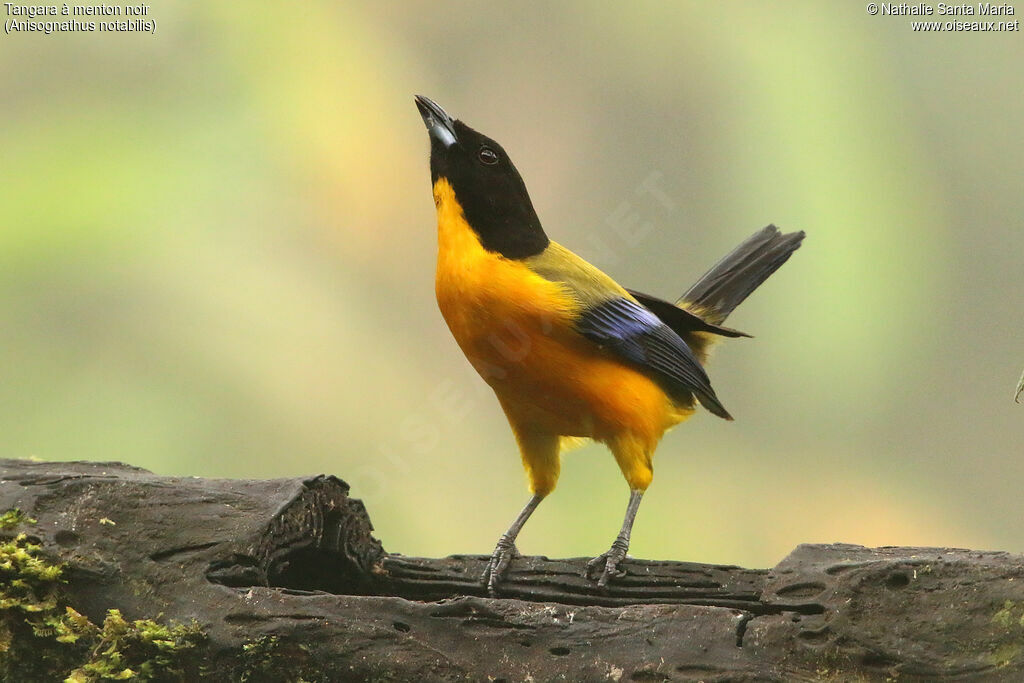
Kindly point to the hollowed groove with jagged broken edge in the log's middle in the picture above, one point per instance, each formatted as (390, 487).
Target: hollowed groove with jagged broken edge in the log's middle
(322, 541)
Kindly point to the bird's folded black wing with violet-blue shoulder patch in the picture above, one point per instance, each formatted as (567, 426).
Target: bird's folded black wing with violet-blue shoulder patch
(637, 335)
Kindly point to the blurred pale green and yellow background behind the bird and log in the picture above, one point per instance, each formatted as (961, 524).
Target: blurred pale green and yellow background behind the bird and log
(218, 246)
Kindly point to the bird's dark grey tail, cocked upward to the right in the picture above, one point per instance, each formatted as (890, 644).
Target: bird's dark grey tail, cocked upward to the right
(731, 281)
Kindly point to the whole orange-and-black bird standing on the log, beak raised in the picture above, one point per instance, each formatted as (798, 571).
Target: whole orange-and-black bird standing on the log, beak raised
(569, 352)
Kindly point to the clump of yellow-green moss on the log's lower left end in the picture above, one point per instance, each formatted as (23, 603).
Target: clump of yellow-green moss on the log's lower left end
(44, 638)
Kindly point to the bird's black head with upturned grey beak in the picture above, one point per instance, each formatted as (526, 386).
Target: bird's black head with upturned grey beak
(487, 185)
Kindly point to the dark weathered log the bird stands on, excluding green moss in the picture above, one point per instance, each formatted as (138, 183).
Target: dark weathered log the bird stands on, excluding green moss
(295, 560)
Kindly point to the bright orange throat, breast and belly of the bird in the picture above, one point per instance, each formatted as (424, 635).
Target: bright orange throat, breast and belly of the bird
(517, 329)
